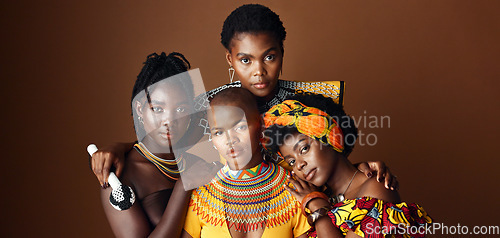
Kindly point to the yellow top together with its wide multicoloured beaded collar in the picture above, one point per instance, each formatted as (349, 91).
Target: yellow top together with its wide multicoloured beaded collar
(246, 200)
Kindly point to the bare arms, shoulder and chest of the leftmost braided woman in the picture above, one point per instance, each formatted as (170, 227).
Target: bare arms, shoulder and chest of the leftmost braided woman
(145, 179)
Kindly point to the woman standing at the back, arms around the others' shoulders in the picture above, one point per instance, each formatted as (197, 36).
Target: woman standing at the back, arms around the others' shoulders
(253, 36)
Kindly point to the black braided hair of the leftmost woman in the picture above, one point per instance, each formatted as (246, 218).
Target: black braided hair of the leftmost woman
(155, 69)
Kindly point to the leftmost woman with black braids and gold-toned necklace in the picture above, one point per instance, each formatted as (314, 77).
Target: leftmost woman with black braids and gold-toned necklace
(162, 102)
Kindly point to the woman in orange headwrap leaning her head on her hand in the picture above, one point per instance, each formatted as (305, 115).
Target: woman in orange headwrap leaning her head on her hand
(315, 136)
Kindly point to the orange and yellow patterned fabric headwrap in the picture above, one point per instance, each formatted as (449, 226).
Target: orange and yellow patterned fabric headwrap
(309, 121)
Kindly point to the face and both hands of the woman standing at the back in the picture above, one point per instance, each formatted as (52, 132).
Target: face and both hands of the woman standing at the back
(257, 59)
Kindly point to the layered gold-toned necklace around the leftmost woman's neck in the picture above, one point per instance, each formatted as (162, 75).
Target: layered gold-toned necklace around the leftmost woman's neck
(162, 164)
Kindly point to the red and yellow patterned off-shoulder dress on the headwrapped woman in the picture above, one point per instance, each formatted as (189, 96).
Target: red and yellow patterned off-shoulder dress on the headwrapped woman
(371, 217)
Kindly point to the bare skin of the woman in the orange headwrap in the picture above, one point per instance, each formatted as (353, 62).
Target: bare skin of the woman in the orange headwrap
(314, 165)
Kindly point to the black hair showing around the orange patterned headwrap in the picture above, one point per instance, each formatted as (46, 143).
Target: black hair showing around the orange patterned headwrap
(336, 111)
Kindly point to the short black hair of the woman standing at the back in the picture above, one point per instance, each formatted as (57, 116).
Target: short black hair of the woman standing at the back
(252, 18)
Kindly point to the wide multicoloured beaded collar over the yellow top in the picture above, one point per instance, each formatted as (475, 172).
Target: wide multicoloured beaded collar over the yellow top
(257, 201)
